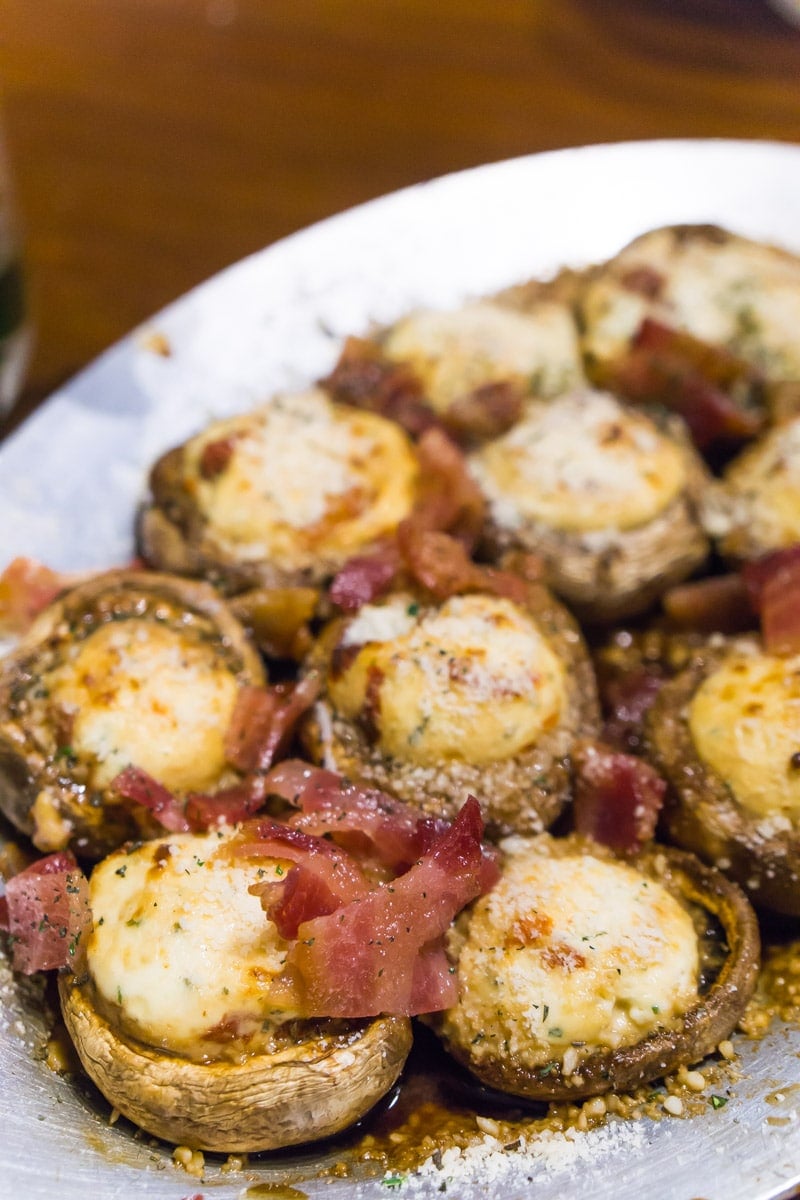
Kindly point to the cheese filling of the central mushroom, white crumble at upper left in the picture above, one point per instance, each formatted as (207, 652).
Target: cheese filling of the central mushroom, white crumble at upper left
(474, 681)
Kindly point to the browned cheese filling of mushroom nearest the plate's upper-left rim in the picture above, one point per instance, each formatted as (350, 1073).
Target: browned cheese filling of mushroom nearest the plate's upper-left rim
(306, 479)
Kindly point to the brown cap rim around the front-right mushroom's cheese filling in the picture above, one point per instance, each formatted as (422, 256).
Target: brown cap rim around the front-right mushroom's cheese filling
(702, 1028)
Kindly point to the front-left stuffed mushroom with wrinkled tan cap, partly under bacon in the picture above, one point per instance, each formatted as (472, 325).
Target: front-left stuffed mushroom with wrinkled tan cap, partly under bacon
(176, 1021)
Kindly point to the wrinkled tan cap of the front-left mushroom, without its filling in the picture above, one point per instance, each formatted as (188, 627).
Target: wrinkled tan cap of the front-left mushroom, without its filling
(310, 1089)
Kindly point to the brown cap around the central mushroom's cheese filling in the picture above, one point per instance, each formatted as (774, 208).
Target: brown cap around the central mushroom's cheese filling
(521, 795)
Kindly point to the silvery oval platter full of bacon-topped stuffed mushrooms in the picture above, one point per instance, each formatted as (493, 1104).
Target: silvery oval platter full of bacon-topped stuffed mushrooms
(408, 575)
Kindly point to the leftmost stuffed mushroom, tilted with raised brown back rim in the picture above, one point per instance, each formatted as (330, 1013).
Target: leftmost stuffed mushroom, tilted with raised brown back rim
(130, 669)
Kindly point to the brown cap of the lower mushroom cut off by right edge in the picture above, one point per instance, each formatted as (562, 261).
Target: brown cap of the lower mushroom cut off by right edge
(701, 813)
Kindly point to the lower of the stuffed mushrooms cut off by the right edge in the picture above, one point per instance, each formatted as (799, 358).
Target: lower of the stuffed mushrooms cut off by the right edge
(725, 735)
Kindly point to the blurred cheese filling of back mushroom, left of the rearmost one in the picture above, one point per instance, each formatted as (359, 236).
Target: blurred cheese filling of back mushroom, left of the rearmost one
(454, 353)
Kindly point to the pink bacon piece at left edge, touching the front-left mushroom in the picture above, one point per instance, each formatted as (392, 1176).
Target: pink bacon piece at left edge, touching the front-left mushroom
(47, 914)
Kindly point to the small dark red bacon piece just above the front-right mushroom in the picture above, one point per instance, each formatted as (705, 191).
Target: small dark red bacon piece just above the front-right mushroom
(617, 797)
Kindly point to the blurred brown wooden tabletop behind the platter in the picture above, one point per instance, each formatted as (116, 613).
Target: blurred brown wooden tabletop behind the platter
(157, 141)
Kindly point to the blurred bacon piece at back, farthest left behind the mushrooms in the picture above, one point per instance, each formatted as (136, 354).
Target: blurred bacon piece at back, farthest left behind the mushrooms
(366, 379)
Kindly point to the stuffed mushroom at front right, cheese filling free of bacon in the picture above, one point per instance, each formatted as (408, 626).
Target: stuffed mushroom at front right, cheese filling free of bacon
(580, 973)
